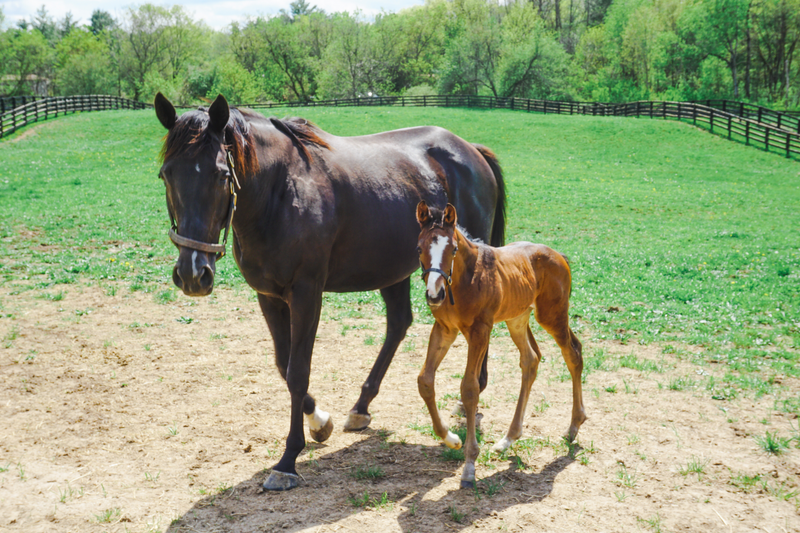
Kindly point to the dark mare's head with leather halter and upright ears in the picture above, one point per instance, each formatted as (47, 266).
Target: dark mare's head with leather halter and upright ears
(201, 151)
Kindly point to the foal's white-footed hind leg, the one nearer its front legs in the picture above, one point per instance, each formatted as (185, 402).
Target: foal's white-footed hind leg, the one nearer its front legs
(529, 357)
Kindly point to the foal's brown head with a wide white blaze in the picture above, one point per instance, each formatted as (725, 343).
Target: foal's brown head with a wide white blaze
(437, 249)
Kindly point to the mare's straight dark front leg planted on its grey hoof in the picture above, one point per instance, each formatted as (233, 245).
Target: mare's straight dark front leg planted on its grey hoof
(305, 302)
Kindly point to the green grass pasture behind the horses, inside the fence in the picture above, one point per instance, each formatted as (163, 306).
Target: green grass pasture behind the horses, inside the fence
(675, 236)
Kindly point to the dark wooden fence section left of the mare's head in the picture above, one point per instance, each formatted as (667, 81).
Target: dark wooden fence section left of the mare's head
(36, 109)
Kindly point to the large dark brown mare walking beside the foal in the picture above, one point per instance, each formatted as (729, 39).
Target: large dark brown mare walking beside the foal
(315, 213)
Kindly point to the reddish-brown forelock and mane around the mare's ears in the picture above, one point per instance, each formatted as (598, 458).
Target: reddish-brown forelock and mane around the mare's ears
(191, 135)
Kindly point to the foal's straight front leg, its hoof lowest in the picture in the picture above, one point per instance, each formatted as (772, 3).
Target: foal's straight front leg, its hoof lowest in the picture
(478, 340)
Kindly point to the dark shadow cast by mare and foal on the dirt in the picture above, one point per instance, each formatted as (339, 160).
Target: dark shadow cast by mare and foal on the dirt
(372, 474)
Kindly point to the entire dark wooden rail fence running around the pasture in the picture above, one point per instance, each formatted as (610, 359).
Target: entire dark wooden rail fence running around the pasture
(754, 125)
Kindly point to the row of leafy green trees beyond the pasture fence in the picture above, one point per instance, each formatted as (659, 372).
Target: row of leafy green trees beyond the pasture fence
(591, 50)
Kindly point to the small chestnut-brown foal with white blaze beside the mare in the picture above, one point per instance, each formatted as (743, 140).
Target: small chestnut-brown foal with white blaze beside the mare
(470, 288)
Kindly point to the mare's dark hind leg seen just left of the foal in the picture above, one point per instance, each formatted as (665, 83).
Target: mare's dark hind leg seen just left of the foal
(398, 320)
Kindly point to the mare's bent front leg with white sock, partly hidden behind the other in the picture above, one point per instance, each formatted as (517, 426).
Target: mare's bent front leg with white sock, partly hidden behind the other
(276, 313)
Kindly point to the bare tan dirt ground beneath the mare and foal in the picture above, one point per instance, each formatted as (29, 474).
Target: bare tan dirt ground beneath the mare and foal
(123, 414)
